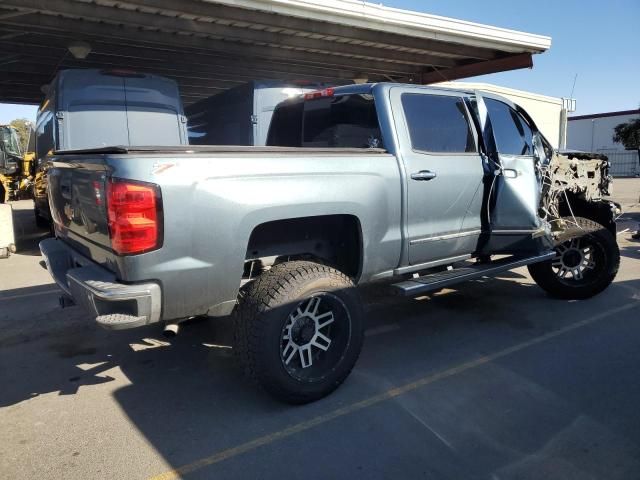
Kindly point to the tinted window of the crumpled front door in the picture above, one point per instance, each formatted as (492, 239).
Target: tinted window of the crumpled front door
(512, 134)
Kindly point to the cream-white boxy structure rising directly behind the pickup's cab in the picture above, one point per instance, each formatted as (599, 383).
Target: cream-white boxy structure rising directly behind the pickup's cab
(547, 112)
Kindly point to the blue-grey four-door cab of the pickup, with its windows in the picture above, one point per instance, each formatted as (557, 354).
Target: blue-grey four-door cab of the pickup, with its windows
(470, 163)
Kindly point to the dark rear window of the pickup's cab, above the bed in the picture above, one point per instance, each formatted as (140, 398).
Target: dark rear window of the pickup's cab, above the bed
(345, 121)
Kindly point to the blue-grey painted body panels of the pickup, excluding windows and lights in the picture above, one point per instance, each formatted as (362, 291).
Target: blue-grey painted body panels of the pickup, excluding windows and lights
(214, 198)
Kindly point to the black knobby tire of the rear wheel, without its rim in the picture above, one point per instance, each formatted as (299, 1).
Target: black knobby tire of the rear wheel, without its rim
(263, 309)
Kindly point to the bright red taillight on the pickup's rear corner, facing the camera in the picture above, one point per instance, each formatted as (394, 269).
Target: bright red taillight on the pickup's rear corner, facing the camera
(135, 216)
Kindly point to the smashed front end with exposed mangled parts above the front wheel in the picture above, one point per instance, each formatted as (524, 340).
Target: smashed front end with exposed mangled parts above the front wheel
(575, 184)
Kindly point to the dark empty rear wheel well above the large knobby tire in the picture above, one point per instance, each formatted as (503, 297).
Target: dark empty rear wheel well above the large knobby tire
(332, 239)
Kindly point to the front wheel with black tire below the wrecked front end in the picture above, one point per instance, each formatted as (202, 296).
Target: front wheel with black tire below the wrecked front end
(586, 263)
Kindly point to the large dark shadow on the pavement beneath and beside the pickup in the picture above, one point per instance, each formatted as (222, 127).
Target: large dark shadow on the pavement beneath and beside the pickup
(188, 400)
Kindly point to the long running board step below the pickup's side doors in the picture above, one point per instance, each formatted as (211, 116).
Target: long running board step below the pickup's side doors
(436, 281)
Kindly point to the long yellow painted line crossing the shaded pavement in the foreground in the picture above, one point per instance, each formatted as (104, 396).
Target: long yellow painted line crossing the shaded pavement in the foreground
(387, 395)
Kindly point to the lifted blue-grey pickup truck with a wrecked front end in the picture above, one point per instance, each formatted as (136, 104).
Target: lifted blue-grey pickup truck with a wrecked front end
(416, 187)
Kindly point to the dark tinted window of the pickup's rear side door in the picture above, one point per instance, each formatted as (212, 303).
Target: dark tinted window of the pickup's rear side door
(438, 123)
